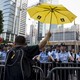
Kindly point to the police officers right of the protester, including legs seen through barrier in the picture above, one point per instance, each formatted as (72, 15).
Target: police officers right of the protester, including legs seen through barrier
(59, 54)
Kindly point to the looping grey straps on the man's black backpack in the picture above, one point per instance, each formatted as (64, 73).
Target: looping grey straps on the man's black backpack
(21, 58)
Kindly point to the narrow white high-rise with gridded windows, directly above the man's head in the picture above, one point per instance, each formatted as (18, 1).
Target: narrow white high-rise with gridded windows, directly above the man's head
(22, 23)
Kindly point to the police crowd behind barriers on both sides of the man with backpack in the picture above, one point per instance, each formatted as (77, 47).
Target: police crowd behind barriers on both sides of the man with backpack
(58, 53)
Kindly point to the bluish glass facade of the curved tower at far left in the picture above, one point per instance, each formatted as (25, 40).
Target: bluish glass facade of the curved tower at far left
(8, 15)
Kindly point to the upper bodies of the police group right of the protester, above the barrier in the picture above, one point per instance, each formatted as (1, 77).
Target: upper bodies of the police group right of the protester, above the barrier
(58, 53)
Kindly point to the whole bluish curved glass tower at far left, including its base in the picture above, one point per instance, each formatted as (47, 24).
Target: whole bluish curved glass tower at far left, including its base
(8, 8)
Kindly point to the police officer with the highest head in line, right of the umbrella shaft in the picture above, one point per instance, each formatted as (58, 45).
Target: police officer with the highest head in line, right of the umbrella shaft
(63, 57)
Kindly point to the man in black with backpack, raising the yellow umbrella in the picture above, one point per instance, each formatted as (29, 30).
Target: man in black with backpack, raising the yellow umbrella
(18, 65)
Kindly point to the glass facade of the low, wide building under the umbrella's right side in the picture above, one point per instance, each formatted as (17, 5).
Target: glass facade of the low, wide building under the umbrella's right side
(66, 36)
